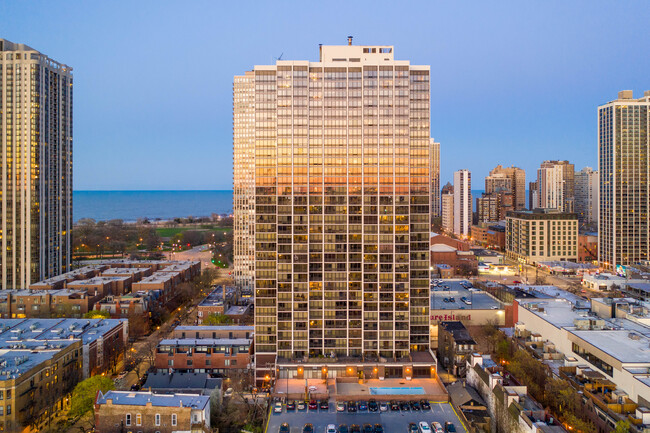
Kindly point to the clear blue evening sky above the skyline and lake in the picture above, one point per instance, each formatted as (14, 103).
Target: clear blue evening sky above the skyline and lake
(512, 82)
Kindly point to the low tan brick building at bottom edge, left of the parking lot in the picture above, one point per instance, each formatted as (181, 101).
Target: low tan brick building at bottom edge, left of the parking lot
(117, 411)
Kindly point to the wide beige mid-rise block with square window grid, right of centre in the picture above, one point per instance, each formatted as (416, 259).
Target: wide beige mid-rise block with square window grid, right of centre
(541, 235)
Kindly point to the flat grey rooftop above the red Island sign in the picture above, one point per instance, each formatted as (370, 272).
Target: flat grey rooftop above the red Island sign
(479, 299)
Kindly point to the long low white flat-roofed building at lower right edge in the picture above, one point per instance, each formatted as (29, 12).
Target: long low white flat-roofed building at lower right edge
(610, 338)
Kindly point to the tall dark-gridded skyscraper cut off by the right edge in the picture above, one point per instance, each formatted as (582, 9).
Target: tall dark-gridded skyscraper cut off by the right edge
(623, 148)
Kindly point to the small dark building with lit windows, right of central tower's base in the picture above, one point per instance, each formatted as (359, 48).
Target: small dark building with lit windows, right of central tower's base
(454, 346)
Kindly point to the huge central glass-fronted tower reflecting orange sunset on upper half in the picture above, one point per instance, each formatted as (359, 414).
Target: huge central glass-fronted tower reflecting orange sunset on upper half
(342, 194)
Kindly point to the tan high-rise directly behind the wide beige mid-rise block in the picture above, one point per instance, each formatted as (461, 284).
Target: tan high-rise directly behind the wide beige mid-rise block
(556, 186)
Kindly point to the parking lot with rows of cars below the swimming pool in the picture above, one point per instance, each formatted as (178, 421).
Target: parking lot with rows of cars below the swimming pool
(393, 422)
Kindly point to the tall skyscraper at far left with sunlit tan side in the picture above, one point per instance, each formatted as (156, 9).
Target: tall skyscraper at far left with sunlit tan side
(36, 125)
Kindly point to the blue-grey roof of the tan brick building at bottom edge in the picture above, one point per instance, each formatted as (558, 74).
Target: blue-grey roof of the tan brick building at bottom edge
(130, 398)
